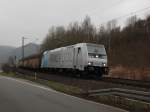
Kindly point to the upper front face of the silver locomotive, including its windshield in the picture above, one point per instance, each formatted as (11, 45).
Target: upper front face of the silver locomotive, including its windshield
(96, 51)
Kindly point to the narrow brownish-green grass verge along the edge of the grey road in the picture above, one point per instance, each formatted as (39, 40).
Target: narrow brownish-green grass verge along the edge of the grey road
(131, 105)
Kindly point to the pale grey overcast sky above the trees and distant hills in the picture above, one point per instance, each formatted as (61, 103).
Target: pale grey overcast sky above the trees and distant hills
(33, 18)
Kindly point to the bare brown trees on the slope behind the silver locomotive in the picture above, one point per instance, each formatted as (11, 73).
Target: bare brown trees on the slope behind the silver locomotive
(127, 46)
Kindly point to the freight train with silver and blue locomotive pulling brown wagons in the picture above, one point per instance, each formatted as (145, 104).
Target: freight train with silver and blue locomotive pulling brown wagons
(86, 58)
